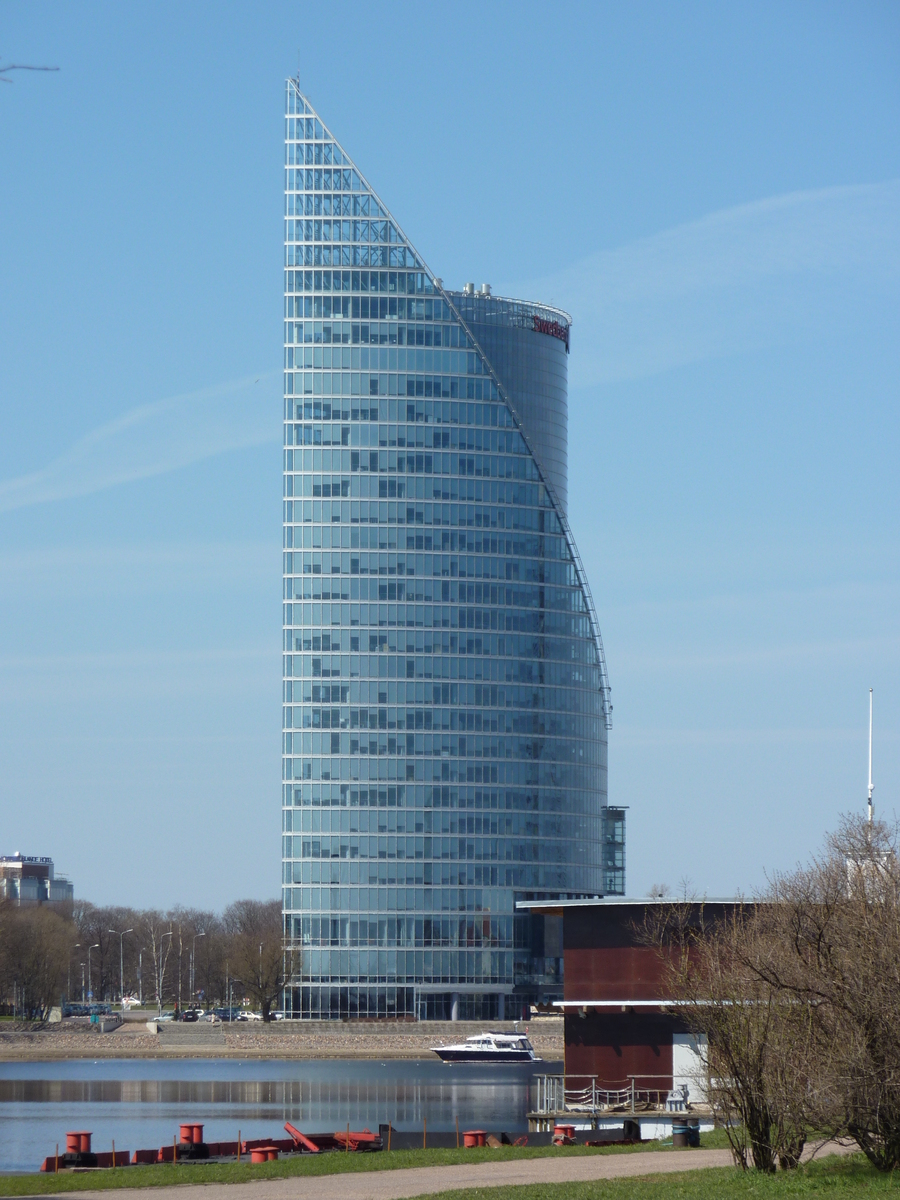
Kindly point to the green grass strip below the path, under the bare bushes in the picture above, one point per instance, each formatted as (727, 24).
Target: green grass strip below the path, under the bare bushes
(839, 1178)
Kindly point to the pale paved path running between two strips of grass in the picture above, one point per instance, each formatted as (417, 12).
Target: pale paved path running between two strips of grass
(418, 1181)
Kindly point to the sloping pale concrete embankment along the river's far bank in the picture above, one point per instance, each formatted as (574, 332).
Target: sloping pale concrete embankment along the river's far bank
(281, 1040)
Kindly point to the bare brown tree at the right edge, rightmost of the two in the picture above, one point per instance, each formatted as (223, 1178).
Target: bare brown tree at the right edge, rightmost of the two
(837, 928)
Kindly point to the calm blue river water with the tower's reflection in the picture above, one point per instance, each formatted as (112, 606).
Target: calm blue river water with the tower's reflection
(140, 1102)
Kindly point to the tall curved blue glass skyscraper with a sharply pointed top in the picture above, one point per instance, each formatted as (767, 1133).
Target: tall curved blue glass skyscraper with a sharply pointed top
(446, 695)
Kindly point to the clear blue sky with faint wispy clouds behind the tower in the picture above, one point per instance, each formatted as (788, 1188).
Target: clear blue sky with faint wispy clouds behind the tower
(713, 191)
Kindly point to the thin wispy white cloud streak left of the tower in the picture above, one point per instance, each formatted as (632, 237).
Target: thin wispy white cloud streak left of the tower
(157, 439)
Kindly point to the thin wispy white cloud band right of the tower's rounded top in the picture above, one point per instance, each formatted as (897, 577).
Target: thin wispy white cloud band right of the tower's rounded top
(761, 274)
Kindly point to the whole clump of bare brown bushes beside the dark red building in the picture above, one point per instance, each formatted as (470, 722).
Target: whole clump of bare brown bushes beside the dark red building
(800, 999)
